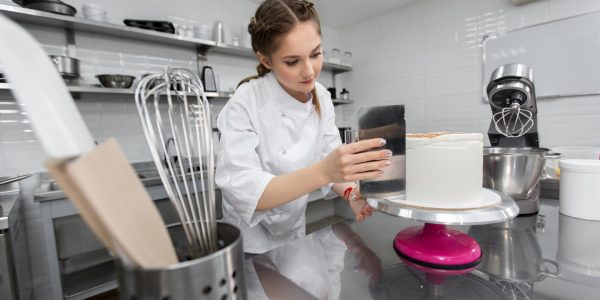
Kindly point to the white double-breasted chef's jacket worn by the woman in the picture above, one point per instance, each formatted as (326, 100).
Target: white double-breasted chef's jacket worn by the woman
(265, 132)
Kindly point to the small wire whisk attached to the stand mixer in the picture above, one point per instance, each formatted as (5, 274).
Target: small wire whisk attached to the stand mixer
(513, 121)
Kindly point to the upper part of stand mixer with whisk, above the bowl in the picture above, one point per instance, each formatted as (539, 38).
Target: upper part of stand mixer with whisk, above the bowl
(511, 94)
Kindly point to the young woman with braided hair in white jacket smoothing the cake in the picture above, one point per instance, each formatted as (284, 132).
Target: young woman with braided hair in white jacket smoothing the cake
(279, 141)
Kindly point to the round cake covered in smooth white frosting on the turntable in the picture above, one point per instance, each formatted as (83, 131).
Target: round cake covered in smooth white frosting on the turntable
(444, 170)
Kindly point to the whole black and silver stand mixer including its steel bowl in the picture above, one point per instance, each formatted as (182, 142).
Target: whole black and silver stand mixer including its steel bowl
(514, 137)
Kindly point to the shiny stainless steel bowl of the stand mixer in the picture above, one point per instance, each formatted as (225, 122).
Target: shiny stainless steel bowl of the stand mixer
(514, 171)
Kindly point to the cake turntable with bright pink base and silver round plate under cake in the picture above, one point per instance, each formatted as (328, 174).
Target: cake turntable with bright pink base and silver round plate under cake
(436, 249)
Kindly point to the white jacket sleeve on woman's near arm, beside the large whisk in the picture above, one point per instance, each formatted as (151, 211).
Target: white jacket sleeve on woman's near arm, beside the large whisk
(239, 171)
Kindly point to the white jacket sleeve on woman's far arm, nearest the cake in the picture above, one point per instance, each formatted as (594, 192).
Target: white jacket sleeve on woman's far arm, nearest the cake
(331, 137)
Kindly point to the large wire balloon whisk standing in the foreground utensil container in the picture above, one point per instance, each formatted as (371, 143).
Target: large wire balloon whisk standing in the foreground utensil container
(175, 115)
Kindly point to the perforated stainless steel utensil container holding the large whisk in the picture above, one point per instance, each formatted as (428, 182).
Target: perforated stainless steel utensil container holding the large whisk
(219, 275)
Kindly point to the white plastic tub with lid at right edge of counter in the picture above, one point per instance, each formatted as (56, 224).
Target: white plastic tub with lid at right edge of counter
(580, 188)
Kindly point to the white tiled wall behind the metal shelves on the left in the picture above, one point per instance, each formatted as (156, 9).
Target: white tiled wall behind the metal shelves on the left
(116, 115)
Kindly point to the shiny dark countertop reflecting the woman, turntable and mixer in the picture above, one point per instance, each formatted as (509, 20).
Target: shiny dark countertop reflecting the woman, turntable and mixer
(543, 256)
